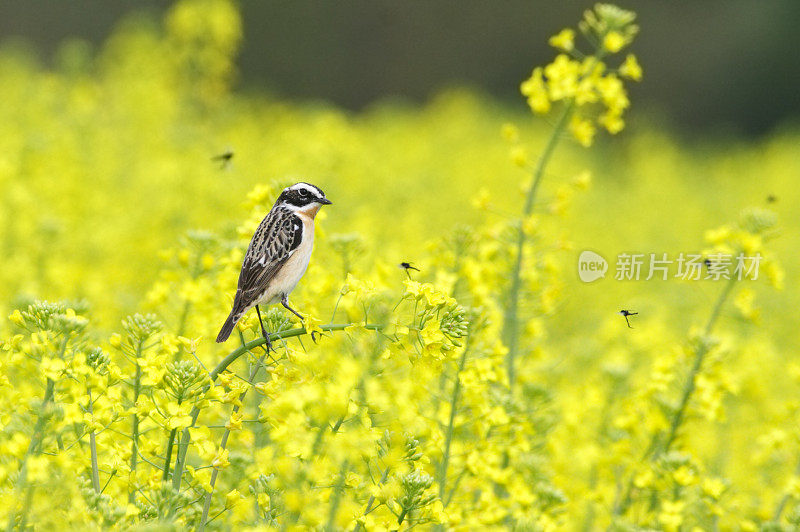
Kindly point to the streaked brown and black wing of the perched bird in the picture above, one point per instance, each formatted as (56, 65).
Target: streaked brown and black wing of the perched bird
(276, 238)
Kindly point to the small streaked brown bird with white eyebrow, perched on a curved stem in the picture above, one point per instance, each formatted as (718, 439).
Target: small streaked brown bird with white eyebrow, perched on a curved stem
(277, 256)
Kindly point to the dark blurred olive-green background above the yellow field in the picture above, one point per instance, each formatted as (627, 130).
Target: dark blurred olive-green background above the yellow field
(716, 65)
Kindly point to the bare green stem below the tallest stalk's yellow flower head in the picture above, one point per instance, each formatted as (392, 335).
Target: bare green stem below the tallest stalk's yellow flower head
(511, 318)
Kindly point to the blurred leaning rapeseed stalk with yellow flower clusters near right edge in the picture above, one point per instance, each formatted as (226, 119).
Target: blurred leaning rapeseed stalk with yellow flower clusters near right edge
(666, 459)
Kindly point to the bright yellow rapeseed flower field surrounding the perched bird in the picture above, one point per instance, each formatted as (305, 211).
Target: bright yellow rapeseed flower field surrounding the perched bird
(492, 389)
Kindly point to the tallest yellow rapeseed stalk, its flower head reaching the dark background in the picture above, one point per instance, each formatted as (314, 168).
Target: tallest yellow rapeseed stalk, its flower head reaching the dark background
(589, 93)
